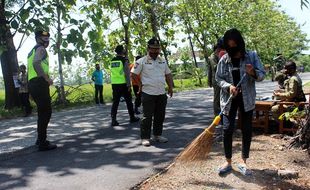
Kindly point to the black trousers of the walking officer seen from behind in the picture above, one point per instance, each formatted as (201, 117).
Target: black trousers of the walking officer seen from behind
(120, 90)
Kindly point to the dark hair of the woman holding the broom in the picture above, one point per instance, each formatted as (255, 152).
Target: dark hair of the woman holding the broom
(235, 35)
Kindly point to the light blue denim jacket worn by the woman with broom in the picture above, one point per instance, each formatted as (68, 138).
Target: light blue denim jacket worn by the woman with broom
(224, 79)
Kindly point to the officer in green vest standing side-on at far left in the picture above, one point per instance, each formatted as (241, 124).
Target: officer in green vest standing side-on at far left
(39, 82)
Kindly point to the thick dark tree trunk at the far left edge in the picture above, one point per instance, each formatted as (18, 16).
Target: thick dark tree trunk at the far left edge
(9, 63)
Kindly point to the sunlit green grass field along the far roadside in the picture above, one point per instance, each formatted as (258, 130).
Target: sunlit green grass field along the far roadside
(83, 95)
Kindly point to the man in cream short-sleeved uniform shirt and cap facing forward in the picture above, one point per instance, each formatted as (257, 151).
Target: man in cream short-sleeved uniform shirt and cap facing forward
(154, 72)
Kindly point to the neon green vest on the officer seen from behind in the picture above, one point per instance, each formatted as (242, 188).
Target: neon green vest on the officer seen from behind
(117, 72)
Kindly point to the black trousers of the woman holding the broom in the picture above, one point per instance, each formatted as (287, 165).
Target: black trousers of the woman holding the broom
(229, 126)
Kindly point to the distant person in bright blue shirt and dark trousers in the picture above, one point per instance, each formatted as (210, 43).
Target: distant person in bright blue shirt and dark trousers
(98, 78)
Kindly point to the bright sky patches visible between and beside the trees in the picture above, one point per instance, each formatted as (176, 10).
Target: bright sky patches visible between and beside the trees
(291, 7)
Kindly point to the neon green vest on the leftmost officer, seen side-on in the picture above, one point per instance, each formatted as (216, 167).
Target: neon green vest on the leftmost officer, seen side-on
(44, 63)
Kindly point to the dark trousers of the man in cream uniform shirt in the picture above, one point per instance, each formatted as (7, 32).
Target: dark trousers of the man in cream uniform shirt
(154, 110)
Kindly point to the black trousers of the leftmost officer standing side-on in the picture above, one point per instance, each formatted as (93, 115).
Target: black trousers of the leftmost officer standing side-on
(40, 92)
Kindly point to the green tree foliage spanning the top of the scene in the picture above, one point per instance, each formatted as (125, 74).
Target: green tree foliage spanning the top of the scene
(90, 29)
